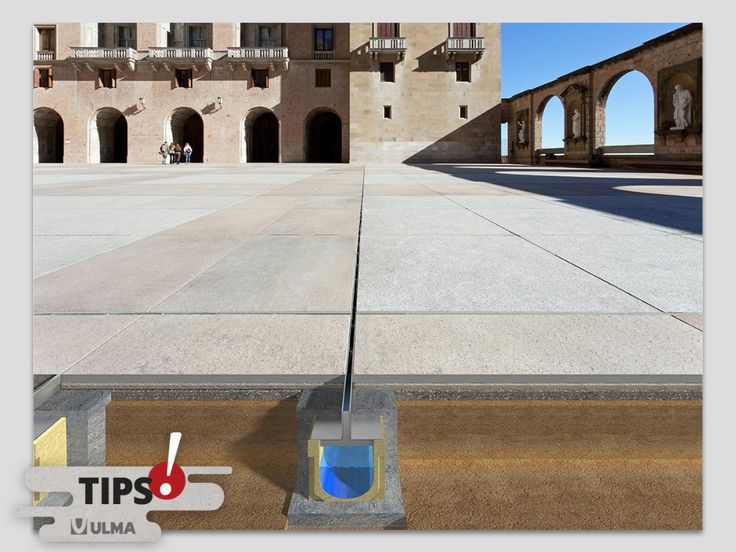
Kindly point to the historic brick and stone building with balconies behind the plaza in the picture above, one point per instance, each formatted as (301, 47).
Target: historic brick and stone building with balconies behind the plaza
(267, 92)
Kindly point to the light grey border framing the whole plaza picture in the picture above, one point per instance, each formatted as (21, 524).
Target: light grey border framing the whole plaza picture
(719, 252)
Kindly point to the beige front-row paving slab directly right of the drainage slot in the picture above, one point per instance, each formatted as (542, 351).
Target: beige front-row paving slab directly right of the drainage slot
(457, 346)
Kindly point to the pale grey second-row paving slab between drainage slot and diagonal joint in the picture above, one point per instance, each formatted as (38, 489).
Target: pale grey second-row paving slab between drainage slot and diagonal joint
(477, 274)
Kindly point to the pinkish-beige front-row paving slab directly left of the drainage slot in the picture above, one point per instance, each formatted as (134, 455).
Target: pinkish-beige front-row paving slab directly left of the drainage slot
(212, 345)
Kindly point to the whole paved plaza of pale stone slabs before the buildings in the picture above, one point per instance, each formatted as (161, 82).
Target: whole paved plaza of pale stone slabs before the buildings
(467, 273)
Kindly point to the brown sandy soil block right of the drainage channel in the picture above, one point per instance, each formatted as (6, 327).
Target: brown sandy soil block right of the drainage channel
(551, 464)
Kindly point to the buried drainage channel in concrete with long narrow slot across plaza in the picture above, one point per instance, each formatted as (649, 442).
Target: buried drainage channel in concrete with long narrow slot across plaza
(347, 450)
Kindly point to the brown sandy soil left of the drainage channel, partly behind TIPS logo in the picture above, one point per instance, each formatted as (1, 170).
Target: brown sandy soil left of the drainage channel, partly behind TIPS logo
(256, 438)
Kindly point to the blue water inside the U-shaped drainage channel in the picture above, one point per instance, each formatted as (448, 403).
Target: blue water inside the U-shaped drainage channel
(346, 471)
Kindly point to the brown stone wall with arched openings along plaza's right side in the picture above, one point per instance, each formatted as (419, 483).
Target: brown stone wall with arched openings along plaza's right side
(673, 58)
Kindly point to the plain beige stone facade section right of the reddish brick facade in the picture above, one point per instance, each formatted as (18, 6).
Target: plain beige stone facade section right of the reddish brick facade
(425, 98)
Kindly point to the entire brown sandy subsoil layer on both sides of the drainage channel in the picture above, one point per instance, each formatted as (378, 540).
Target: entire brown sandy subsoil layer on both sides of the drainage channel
(462, 464)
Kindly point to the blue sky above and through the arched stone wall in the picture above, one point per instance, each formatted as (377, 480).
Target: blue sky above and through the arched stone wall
(536, 53)
